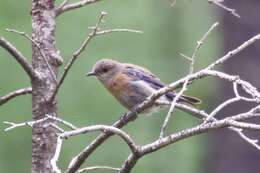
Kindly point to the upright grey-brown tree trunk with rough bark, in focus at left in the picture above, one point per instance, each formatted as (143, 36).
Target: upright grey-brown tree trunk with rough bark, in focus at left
(43, 32)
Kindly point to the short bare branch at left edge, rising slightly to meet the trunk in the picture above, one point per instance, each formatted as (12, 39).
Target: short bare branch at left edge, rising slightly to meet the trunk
(14, 94)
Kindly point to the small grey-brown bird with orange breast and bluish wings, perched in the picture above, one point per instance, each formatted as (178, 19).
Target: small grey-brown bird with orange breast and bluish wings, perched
(131, 84)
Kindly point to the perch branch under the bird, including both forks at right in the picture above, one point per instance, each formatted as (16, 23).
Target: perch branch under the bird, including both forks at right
(78, 160)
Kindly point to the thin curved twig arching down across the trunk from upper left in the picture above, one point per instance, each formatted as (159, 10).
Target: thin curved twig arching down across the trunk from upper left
(44, 57)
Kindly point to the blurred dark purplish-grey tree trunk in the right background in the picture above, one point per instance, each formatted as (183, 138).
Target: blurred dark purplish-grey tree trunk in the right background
(229, 152)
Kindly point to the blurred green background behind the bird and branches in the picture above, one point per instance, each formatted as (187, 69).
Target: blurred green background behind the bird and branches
(168, 31)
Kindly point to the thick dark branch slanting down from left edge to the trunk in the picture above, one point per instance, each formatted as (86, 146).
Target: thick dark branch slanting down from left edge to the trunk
(19, 58)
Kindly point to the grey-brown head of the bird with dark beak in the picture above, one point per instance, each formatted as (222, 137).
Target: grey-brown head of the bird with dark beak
(105, 70)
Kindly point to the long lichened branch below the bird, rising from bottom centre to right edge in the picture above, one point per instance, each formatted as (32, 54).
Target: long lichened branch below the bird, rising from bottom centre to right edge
(183, 134)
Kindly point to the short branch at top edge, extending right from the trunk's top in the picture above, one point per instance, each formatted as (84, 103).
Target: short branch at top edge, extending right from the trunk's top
(67, 7)
